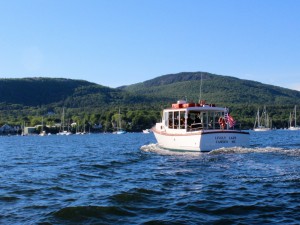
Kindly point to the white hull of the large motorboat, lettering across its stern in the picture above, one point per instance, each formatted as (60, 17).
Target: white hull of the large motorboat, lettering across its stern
(203, 141)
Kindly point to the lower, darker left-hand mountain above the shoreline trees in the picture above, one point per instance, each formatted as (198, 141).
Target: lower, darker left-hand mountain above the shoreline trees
(56, 91)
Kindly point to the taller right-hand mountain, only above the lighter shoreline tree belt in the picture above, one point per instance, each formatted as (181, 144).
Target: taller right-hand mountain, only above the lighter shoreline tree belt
(215, 89)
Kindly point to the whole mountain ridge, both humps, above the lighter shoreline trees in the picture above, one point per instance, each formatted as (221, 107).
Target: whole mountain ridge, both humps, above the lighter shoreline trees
(161, 90)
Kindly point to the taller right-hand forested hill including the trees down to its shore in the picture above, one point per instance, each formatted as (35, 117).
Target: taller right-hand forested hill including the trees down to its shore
(243, 97)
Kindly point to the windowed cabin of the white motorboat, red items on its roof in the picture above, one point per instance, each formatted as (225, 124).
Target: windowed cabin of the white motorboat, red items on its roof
(194, 117)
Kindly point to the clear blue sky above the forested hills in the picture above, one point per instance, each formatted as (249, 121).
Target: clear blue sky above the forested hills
(123, 42)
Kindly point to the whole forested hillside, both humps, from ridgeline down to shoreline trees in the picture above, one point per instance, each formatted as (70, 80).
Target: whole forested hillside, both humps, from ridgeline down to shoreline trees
(32, 99)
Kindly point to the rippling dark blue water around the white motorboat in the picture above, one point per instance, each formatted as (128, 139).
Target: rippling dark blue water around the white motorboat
(128, 179)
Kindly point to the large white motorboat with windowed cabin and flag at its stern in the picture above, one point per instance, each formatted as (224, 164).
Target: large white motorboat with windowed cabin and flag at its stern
(198, 127)
